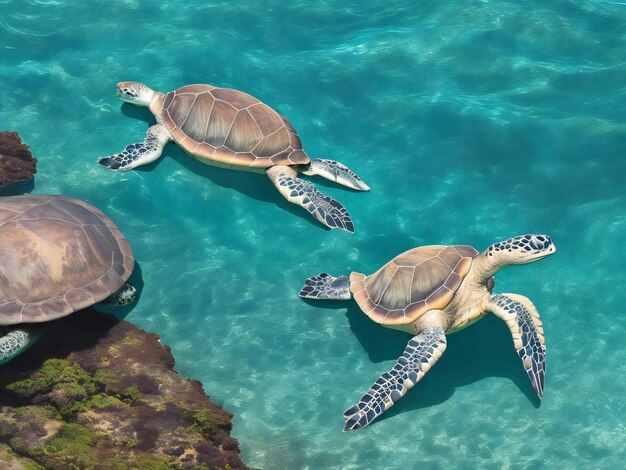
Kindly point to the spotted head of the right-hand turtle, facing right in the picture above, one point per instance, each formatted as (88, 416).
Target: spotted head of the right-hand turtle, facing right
(521, 250)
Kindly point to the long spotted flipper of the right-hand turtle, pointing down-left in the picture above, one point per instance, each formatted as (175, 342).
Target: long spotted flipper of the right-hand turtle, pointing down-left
(419, 356)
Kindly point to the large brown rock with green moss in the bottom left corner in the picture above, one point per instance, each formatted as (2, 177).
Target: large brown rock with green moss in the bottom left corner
(100, 393)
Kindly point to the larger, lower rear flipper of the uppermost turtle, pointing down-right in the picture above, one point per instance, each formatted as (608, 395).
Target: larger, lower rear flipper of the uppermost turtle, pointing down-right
(324, 208)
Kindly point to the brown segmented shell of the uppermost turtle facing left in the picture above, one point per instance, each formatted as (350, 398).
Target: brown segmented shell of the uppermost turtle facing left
(231, 128)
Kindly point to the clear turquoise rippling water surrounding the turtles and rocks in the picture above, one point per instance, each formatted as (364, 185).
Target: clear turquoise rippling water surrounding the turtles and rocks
(471, 121)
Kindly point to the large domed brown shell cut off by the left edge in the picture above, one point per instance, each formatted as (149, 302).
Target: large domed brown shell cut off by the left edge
(57, 255)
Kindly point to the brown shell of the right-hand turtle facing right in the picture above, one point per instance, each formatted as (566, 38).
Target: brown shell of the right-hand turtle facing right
(412, 283)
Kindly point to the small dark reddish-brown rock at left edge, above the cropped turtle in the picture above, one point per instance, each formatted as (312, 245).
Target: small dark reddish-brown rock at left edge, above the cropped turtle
(16, 162)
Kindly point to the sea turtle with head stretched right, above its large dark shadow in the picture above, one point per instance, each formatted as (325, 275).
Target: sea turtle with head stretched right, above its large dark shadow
(432, 291)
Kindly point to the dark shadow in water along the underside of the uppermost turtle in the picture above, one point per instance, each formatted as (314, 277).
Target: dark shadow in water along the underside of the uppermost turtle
(250, 184)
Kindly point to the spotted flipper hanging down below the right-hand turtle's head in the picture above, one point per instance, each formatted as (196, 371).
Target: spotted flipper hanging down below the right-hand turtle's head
(522, 318)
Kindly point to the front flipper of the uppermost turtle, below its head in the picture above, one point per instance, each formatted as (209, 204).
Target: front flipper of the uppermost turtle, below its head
(141, 153)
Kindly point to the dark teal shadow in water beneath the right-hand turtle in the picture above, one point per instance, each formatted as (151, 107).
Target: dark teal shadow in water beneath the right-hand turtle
(483, 350)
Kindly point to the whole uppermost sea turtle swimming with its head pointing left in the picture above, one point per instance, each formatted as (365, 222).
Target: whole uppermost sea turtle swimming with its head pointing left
(231, 129)
